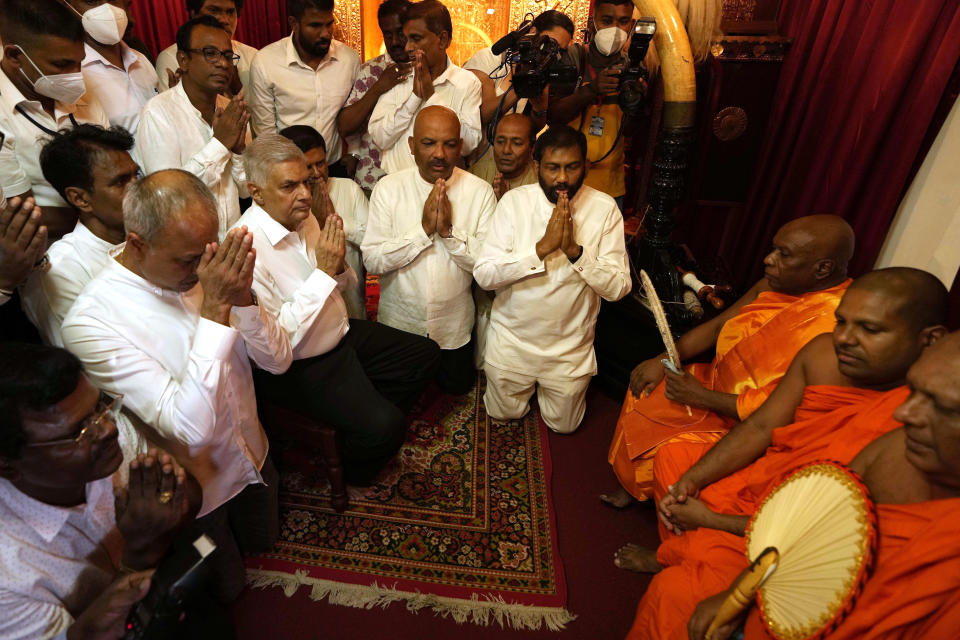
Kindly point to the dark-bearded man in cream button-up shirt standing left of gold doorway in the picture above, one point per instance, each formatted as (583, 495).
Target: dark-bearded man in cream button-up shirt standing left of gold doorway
(304, 78)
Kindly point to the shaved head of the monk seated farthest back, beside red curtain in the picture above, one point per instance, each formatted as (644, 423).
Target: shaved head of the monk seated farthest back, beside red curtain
(810, 254)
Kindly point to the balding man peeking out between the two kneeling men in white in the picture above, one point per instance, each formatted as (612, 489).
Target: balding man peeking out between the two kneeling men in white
(507, 164)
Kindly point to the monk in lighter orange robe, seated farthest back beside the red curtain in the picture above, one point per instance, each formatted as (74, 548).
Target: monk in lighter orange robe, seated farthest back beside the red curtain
(755, 339)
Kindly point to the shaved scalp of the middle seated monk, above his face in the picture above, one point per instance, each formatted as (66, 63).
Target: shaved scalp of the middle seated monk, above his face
(919, 296)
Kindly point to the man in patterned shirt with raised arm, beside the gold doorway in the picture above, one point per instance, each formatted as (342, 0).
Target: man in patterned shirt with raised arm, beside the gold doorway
(376, 77)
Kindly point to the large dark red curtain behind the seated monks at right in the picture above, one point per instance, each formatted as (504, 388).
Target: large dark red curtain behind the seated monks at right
(853, 107)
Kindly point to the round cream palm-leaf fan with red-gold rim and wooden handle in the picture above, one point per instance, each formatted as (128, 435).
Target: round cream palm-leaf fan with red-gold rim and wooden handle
(813, 540)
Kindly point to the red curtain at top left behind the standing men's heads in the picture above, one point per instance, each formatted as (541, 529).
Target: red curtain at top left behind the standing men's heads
(156, 22)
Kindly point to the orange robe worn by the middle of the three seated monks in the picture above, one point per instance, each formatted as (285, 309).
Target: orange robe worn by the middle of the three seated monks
(705, 561)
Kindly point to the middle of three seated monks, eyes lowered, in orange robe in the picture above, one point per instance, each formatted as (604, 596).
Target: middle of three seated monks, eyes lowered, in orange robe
(705, 560)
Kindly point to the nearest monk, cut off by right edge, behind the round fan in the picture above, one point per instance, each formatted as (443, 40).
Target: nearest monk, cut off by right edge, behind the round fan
(913, 474)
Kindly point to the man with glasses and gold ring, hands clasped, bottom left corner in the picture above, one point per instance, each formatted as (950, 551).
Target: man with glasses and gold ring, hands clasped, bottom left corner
(73, 557)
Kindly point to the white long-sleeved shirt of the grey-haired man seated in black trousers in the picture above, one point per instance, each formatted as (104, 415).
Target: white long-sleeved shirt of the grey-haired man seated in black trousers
(306, 302)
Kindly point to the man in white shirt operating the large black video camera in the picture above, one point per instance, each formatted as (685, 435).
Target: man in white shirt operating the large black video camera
(554, 24)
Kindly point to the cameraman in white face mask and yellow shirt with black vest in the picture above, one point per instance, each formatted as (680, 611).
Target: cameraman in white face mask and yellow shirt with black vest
(593, 108)
